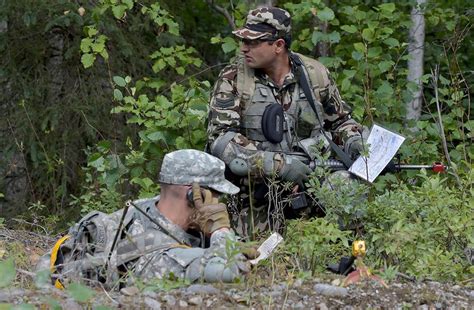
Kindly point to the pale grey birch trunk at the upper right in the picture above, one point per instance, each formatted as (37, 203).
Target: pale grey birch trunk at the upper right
(415, 62)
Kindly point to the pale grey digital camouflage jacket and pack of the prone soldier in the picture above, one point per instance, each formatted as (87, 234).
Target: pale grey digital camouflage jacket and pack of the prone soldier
(144, 250)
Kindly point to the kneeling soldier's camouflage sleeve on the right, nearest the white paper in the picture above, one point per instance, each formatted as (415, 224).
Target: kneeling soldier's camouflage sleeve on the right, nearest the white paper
(337, 115)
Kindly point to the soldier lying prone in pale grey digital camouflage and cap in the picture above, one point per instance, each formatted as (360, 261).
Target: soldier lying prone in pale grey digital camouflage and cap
(158, 245)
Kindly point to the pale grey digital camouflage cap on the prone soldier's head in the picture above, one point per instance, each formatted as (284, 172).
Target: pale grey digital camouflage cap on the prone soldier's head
(185, 167)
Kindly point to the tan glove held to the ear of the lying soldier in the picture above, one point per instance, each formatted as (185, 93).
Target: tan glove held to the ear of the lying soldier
(209, 215)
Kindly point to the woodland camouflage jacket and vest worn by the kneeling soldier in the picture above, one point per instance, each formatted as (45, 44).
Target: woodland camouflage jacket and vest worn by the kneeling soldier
(235, 116)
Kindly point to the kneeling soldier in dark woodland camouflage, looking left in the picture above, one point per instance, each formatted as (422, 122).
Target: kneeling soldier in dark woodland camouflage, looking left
(265, 75)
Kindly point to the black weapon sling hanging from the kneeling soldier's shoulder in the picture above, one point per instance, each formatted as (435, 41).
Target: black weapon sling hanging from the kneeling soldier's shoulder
(304, 82)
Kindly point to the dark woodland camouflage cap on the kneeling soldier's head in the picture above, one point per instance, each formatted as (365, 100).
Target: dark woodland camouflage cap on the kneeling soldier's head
(264, 23)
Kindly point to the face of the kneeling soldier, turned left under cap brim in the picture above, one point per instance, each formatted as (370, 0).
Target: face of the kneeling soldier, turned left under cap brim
(259, 54)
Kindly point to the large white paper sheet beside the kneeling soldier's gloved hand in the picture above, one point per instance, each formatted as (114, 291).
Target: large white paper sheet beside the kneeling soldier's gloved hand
(383, 145)
